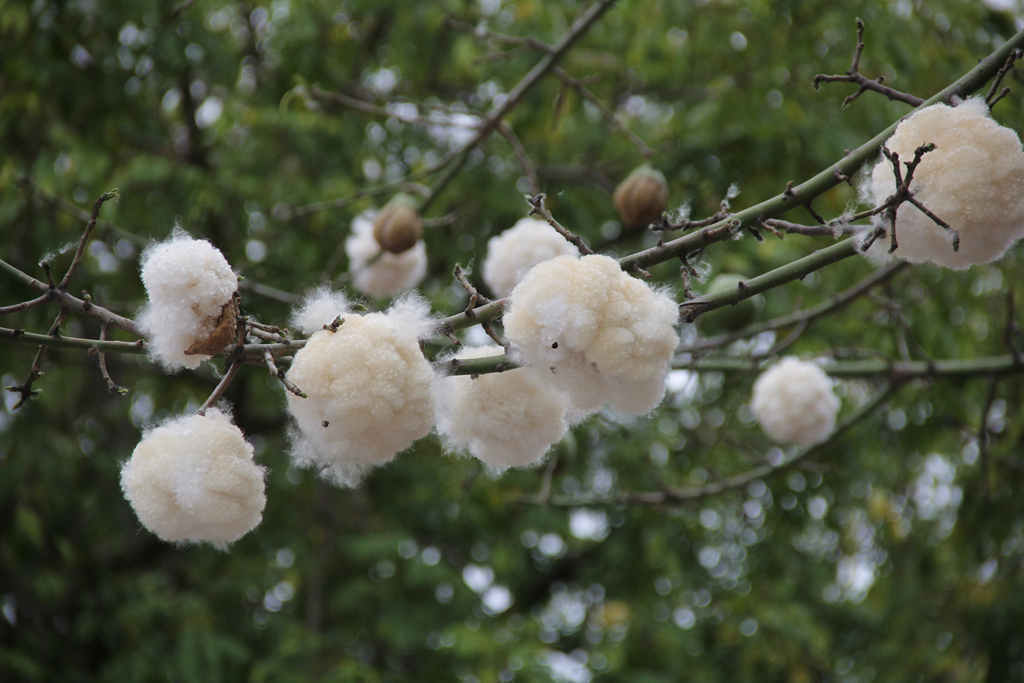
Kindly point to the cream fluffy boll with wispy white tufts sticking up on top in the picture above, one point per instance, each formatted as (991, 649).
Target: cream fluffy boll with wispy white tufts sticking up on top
(369, 391)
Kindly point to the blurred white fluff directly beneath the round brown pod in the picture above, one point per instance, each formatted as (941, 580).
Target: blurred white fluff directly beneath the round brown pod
(379, 274)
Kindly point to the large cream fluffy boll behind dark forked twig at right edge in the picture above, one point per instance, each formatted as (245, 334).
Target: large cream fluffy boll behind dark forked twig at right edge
(974, 181)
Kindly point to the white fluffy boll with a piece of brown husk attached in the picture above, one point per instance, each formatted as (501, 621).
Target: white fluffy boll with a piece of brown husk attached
(191, 314)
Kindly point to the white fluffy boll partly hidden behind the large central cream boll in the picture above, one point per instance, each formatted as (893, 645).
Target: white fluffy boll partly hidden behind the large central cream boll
(518, 250)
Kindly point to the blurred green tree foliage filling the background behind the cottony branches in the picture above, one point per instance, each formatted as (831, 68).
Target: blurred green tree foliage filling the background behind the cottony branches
(681, 545)
